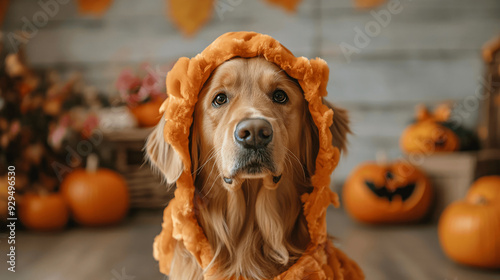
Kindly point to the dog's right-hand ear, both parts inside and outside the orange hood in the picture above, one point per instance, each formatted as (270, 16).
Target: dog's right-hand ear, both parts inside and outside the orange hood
(339, 130)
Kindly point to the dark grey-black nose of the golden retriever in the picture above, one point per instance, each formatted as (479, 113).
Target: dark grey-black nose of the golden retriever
(253, 133)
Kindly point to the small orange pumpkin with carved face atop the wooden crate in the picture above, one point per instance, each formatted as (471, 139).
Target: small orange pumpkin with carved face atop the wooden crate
(428, 137)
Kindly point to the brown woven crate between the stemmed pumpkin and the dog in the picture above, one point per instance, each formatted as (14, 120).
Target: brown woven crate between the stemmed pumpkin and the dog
(123, 150)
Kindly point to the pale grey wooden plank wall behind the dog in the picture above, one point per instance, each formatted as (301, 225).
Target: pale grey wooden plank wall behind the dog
(429, 51)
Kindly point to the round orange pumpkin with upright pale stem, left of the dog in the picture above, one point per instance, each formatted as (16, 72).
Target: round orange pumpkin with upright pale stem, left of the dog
(96, 196)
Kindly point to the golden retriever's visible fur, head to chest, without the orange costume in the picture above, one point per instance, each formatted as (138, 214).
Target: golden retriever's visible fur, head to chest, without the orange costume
(253, 147)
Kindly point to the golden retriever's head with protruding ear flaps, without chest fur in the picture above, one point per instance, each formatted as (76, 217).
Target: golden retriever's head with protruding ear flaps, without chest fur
(251, 121)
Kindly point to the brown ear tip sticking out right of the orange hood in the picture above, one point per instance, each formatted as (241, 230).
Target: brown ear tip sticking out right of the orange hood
(340, 126)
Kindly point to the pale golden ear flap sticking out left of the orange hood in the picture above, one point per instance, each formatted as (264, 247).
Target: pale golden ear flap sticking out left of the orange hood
(162, 156)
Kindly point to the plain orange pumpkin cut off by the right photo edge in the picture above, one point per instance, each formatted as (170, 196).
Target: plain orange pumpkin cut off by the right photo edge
(469, 230)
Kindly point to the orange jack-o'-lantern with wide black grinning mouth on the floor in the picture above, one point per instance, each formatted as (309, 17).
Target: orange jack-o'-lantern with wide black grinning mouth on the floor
(387, 193)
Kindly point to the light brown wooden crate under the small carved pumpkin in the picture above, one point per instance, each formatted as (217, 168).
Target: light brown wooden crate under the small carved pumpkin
(451, 175)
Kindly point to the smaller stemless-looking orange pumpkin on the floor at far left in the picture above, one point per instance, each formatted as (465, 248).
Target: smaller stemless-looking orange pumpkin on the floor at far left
(43, 212)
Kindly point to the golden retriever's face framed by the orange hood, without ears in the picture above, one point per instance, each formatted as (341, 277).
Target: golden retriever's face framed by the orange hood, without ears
(249, 114)
